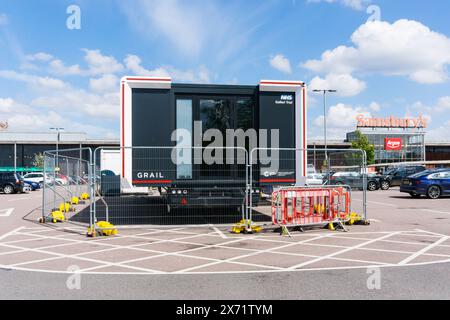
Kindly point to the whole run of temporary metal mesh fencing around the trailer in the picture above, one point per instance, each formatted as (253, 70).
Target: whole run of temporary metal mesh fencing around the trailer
(212, 185)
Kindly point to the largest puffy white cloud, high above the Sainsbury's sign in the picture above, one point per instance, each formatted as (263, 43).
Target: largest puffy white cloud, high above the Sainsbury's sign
(403, 48)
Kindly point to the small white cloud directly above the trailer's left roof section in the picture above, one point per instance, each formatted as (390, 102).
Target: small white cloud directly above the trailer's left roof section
(202, 75)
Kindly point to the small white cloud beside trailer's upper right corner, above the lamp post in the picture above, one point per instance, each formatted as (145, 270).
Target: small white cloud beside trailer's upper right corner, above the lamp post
(345, 84)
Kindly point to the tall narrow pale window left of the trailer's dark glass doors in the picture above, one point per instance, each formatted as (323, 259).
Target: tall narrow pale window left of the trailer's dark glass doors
(184, 121)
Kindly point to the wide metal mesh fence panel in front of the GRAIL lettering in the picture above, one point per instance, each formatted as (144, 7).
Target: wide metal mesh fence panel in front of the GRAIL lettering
(153, 186)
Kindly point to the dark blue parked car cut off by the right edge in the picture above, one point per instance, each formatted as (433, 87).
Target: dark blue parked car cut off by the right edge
(431, 183)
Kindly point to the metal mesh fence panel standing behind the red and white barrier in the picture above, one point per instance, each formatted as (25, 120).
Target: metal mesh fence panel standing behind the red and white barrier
(323, 166)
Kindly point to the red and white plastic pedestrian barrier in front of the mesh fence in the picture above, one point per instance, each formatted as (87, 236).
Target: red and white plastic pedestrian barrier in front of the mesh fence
(299, 206)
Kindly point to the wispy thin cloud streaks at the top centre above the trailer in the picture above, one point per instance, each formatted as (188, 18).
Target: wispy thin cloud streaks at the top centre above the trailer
(218, 31)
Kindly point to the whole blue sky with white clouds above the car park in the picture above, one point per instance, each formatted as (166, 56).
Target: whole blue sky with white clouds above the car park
(53, 76)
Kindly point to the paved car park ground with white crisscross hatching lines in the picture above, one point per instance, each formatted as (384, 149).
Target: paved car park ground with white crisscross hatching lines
(407, 246)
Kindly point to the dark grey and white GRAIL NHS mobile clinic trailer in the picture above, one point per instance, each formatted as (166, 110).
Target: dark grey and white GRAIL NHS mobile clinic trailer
(158, 117)
